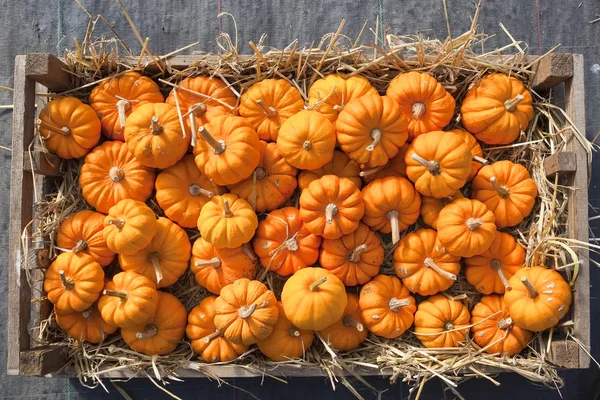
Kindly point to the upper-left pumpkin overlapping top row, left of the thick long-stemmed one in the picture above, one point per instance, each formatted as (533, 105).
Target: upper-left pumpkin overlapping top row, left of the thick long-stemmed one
(153, 135)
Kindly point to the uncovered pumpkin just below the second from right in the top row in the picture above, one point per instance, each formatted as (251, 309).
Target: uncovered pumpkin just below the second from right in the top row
(439, 163)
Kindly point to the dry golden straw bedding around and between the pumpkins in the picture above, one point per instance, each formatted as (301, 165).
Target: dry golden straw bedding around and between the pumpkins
(456, 63)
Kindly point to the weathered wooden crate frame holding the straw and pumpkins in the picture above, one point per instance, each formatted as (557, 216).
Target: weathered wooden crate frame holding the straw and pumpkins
(47, 72)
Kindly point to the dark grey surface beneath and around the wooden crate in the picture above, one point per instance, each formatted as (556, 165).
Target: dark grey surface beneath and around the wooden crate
(50, 26)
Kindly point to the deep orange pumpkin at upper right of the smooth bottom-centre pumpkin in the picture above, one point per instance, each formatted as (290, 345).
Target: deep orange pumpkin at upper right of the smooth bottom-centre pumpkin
(355, 258)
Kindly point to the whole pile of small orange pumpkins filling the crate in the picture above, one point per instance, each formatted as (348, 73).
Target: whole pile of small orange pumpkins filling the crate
(364, 163)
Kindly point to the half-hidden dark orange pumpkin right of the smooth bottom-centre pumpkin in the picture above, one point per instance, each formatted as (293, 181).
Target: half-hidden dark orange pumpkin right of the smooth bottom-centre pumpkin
(349, 332)
